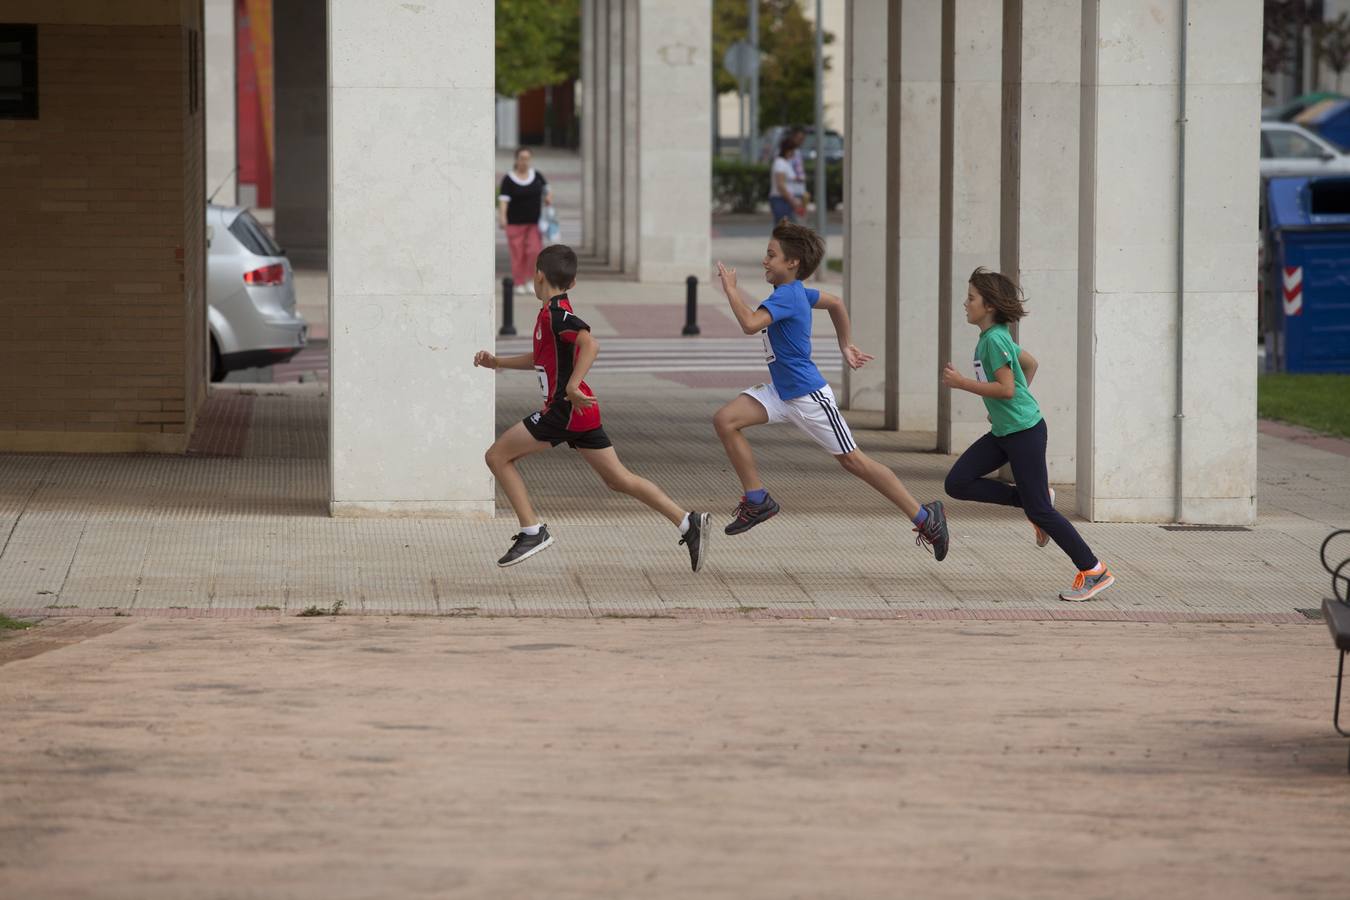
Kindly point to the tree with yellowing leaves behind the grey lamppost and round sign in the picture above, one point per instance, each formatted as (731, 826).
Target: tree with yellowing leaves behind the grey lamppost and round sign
(788, 68)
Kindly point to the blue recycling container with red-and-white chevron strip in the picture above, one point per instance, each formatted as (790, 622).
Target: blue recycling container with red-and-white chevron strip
(1310, 279)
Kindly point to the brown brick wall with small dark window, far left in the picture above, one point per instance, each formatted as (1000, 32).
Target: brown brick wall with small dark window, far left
(102, 245)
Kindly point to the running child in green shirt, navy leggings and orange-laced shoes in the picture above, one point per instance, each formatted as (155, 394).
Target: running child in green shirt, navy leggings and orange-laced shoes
(1004, 374)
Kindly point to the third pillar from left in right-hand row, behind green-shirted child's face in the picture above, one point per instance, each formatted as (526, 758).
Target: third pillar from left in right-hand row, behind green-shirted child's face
(973, 103)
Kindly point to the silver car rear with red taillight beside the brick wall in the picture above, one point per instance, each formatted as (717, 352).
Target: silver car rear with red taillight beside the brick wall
(250, 295)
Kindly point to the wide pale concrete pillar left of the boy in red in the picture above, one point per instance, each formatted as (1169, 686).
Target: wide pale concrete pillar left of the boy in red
(412, 257)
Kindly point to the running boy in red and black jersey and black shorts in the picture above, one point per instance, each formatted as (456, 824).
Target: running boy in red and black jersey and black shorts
(564, 354)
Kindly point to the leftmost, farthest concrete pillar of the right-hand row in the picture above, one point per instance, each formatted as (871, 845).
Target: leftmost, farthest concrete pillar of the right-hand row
(867, 188)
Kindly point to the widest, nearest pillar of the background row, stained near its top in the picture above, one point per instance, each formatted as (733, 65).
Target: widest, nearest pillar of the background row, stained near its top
(676, 165)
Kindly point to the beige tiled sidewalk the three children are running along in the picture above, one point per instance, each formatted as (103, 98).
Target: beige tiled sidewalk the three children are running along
(241, 528)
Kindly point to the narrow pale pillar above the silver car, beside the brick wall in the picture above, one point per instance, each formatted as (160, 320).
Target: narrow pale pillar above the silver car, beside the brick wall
(222, 157)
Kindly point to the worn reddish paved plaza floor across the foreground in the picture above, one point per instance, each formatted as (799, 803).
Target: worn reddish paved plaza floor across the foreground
(377, 758)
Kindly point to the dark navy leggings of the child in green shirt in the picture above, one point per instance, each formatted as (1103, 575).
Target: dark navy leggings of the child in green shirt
(1027, 454)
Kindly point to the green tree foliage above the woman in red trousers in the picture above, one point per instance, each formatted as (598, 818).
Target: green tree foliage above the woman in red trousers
(538, 44)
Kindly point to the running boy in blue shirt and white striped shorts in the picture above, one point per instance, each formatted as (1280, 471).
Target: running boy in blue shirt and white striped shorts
(797, 392)
